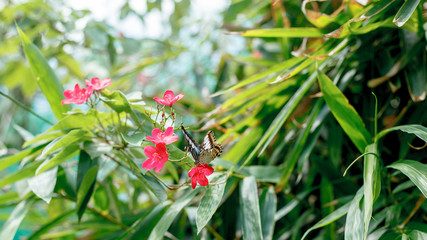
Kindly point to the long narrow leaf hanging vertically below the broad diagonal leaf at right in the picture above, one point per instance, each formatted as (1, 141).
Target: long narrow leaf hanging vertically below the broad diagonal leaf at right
(371, 183)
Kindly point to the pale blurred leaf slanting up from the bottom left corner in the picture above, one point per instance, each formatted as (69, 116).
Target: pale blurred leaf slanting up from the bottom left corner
(10, 227)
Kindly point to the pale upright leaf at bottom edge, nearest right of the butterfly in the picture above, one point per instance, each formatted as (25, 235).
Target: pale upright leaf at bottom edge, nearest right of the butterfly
(249, 205)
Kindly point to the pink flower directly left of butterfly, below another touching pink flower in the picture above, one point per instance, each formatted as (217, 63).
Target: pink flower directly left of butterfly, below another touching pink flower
(157, 156)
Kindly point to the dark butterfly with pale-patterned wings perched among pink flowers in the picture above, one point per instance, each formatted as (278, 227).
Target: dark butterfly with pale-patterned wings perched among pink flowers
(205, 152)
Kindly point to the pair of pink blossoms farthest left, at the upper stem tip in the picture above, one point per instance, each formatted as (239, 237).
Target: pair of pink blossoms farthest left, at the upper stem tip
(81, 95)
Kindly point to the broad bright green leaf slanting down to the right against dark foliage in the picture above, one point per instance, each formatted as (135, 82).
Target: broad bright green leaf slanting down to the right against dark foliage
(344, 113)
